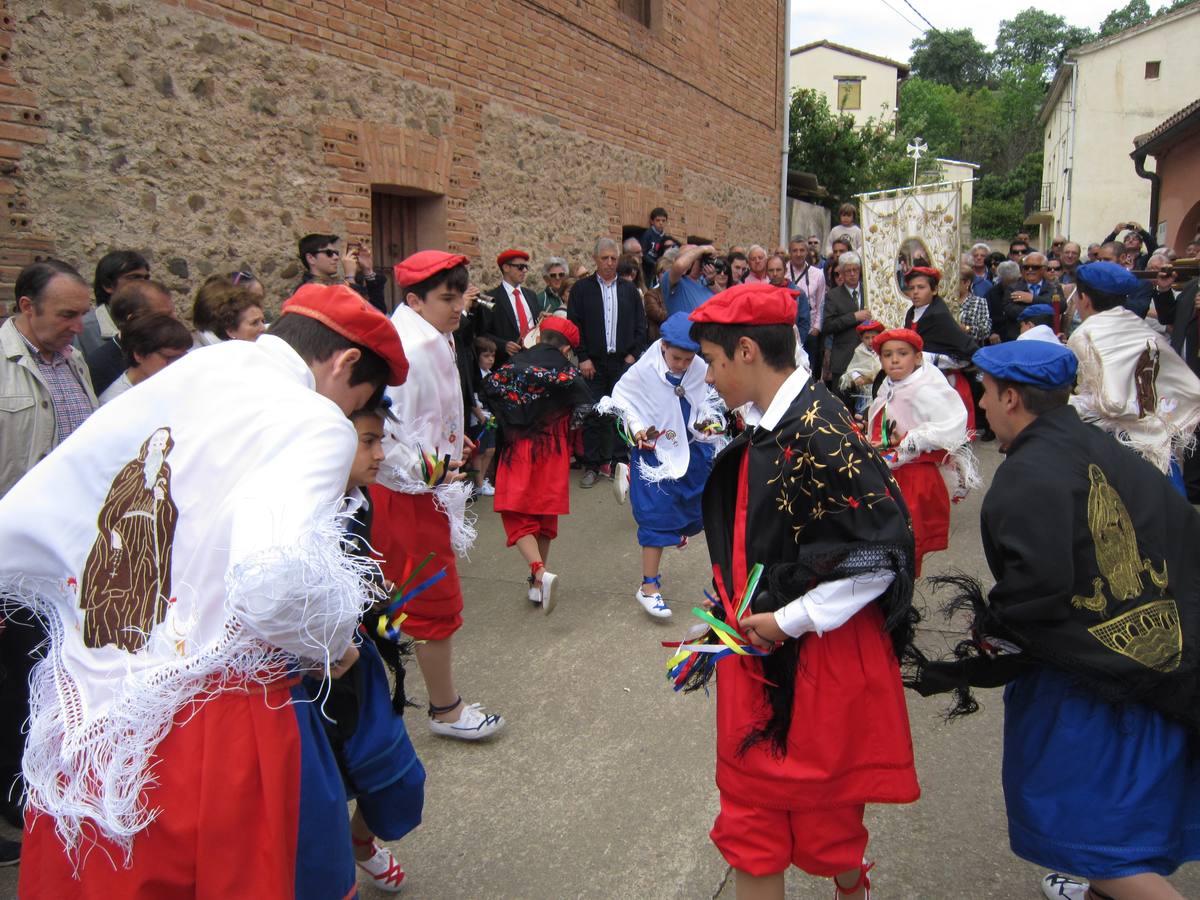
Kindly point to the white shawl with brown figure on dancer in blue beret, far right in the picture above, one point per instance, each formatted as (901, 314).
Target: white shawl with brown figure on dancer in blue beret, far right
(1113, 347)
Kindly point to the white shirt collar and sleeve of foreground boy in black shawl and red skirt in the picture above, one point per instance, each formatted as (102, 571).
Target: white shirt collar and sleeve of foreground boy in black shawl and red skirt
(831, 604)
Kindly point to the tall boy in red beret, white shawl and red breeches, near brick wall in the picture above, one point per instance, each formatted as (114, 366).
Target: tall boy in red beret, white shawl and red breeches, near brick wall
(421, 500)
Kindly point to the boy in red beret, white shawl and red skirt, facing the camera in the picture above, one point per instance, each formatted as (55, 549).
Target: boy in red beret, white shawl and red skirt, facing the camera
(919, 424)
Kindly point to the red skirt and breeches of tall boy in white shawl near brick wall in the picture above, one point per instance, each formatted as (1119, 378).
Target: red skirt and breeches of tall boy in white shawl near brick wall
(406, 529)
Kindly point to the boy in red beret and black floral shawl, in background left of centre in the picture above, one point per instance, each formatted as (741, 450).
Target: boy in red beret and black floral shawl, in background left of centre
(532, 398)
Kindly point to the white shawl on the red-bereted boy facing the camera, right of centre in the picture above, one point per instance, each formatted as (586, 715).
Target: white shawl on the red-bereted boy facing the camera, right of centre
(931, 415)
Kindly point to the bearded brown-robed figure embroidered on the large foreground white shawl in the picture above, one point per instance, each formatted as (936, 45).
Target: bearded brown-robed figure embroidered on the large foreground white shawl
(127, 580)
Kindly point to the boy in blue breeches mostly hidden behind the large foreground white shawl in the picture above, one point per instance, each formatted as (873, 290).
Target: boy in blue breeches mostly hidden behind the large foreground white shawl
(362, 718)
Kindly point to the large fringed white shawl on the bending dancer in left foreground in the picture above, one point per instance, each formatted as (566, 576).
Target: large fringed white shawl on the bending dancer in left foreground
(237, 525)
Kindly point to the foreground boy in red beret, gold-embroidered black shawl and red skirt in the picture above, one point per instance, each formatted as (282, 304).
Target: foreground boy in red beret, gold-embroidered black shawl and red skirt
(805, 495)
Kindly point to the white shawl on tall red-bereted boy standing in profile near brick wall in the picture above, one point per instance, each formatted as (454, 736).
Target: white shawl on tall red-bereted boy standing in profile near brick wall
(429, 430)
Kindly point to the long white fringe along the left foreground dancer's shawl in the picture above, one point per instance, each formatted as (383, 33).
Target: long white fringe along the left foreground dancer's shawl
(103, 772)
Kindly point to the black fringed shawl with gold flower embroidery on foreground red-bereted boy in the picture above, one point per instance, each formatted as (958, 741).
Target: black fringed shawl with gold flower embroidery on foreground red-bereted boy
(821, 506)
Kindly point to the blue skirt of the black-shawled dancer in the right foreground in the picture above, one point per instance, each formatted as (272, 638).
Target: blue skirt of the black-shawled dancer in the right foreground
(1093, 789)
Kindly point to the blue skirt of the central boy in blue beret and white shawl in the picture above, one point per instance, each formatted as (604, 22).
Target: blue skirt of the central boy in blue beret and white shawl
(668, 512)
